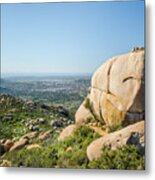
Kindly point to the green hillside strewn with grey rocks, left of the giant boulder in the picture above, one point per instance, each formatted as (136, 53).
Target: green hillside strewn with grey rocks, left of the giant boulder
(19, 118)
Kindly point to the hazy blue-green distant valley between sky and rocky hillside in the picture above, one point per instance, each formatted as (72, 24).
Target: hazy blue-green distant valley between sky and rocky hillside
(68, 91)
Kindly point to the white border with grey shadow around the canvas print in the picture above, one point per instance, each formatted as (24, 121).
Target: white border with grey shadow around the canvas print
(41, 174)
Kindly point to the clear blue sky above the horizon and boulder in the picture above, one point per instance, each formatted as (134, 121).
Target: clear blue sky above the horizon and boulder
(67, 37)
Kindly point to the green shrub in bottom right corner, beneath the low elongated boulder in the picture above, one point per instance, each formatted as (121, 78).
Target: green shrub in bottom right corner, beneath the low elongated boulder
(127, 158)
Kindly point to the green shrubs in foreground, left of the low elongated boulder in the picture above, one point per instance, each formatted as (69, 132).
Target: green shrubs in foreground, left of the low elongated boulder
(57, 155)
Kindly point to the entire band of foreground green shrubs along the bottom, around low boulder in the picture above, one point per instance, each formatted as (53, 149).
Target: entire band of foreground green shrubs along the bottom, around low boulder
(71, 153)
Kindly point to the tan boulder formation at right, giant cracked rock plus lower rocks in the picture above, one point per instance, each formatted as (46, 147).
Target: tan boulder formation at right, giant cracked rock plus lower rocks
(115, 100)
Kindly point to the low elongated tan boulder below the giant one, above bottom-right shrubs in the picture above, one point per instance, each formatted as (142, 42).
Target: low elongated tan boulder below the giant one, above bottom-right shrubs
(132, 134)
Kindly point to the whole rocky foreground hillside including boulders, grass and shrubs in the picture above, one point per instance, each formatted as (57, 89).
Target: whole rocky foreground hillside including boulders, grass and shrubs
(108, 132)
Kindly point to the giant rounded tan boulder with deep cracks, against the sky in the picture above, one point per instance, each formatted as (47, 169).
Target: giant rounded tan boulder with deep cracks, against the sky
(117, 91)
